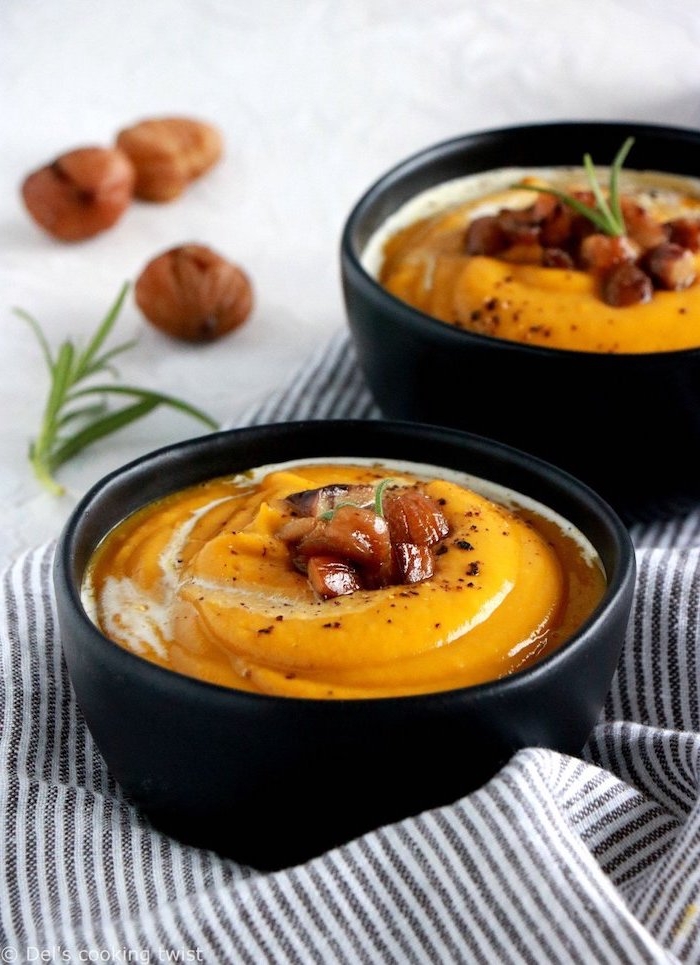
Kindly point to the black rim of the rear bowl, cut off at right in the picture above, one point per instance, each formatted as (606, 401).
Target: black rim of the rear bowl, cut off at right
(354, 272)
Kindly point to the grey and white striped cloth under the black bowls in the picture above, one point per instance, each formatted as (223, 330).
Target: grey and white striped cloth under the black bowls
(556, 860)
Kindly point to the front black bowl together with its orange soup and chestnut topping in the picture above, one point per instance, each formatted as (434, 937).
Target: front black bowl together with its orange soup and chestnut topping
(284, 636)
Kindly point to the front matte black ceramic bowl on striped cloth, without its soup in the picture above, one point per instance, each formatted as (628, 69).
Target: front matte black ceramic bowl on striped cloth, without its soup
(274, 780)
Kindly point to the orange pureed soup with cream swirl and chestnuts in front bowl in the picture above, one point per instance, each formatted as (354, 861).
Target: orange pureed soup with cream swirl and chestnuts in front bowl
(343, 580)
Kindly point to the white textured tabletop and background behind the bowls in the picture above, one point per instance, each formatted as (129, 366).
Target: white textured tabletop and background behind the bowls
(315, 99)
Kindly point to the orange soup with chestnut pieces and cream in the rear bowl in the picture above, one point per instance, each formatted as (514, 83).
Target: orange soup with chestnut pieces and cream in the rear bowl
(494, 255)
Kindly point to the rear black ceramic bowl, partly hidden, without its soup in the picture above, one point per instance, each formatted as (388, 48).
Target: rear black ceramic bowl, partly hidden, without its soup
(625, 424)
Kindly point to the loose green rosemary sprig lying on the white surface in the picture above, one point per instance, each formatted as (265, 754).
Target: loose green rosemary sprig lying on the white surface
(68, 424)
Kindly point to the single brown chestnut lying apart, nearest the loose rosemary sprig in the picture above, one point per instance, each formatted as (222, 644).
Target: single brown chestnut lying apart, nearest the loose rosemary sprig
(192, 293)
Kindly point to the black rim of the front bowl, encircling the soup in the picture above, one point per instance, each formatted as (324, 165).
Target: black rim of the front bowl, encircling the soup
(618, 592)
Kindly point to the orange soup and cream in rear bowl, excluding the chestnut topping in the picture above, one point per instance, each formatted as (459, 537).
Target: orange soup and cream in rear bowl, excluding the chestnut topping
(420, 256)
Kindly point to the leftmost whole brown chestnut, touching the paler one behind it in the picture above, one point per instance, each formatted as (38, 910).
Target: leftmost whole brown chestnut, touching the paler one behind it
(81, 193)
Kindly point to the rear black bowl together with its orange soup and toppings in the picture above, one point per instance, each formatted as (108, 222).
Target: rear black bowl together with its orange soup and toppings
(497, 283)
